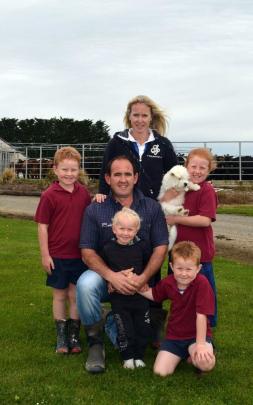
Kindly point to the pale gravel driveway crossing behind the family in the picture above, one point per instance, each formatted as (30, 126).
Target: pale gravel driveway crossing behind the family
(233, 233)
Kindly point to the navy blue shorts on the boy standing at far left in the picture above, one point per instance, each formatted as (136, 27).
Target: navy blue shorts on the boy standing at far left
(66, 271)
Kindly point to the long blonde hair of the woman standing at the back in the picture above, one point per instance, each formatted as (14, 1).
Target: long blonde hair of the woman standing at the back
(158, 117)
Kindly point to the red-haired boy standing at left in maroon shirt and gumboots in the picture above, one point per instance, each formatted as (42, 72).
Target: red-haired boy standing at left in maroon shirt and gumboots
(59, 216)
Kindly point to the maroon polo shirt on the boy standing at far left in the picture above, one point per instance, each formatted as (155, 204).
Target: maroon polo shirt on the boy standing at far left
(62, 211)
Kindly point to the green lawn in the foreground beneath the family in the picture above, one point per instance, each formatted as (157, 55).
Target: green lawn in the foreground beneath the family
(31, 373)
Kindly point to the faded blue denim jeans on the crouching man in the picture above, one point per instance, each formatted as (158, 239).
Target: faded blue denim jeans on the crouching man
(91, 290)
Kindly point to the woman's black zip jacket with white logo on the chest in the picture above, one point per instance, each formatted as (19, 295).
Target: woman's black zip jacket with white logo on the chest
(158, 158)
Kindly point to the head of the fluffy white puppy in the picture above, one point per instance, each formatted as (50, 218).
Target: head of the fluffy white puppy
(177, 177)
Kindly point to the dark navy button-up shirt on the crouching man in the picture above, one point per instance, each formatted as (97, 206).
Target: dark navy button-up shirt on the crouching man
(96, 228)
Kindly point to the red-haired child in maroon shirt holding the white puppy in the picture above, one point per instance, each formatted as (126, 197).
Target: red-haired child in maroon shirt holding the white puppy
(202, 205)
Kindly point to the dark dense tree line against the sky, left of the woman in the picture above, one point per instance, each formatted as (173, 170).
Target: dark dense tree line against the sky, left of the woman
(53, 130)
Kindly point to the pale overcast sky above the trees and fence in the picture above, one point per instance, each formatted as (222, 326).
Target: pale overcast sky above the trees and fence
(86, 58)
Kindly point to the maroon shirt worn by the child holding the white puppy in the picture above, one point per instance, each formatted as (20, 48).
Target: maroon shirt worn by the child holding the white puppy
(202, 202)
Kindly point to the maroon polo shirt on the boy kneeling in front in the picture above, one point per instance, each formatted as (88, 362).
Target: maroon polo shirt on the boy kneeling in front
(198, 297)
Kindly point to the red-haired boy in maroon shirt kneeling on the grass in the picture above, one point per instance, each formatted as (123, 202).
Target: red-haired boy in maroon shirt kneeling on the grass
(188, 333)
